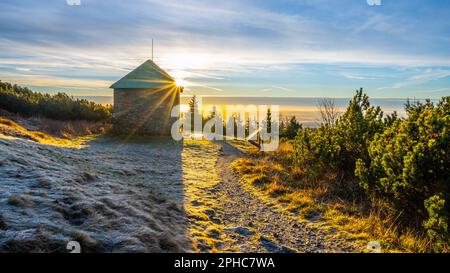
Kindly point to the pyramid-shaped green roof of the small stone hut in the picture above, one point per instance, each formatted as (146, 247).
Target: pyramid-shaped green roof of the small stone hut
(147, 75)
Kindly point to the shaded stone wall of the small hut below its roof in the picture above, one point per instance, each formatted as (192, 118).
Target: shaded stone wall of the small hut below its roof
(144, 111)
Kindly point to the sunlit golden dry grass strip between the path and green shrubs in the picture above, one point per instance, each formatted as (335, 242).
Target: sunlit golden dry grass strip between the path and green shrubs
(276, 181)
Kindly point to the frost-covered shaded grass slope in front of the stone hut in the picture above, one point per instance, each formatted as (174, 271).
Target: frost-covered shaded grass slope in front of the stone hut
(109, 195)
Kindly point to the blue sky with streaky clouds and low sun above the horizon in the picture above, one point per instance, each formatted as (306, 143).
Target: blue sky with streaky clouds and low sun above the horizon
(263, 48)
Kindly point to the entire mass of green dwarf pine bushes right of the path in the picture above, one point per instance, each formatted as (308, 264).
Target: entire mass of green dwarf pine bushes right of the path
(403, 162)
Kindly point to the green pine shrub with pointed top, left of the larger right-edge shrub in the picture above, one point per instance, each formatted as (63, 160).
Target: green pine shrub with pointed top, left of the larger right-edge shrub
(339, 147)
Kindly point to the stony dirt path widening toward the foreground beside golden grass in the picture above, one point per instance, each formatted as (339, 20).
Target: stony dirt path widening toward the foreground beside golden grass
(252, 226)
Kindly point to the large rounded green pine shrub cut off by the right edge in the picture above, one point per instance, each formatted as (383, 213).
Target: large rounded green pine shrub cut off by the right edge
(409, 165)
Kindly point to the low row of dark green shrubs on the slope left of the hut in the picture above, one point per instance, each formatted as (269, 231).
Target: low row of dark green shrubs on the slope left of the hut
(20, 100)
